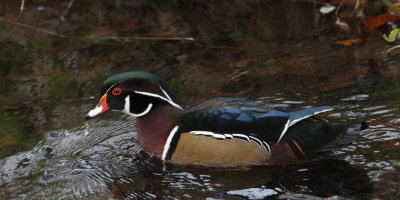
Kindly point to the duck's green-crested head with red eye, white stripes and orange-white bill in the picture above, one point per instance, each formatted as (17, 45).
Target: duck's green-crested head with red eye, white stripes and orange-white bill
(135, 93)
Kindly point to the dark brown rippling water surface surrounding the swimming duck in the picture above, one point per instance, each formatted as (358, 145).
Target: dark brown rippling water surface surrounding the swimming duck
(279, 52)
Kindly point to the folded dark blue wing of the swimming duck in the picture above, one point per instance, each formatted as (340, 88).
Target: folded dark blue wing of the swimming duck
(263, 122)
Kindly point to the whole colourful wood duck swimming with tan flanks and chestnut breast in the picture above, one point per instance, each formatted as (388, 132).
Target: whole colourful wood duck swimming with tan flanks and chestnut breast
(221, 131)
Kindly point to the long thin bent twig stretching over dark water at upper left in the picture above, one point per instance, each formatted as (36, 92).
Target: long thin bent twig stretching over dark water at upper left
(91, 36)
